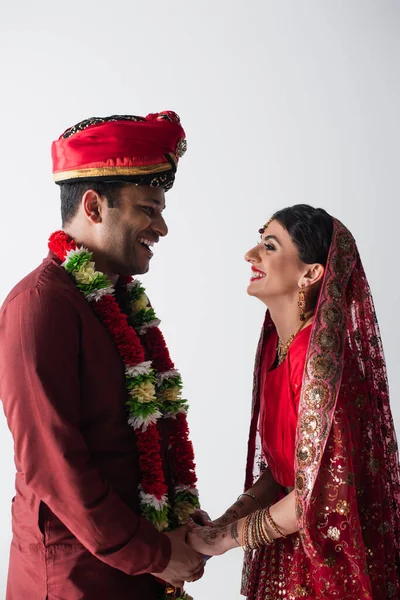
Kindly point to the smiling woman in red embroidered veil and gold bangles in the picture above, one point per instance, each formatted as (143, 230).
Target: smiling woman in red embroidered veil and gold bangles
(322, 520)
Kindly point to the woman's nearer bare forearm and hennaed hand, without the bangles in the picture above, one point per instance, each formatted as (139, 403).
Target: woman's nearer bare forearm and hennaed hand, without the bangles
(212, 541)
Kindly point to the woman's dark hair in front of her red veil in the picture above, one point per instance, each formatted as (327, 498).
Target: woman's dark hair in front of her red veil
(310, 229)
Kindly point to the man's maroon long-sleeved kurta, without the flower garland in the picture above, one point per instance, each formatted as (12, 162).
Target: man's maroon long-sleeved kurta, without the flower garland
(76, 529)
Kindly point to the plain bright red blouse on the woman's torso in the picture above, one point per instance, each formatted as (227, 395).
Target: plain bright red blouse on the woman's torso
(279, 402)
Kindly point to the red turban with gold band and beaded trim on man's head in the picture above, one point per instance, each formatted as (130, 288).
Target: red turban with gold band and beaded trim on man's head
(141, 150)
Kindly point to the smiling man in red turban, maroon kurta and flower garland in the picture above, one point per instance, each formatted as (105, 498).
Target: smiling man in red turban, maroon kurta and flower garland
(90, 504)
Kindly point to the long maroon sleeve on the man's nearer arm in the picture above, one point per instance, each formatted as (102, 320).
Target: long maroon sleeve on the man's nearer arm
(39, 385)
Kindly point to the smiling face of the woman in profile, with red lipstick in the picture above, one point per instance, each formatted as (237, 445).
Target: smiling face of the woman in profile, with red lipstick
(277, 270)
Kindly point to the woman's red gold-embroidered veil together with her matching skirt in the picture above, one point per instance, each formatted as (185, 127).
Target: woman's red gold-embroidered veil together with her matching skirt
(347, 477)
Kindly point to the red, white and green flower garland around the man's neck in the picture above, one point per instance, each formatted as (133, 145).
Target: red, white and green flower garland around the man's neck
(152, 383)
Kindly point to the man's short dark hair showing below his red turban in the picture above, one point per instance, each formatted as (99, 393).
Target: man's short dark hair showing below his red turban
(71, 195)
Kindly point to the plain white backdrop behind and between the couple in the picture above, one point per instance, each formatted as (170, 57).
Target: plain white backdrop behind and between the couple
(283, 102)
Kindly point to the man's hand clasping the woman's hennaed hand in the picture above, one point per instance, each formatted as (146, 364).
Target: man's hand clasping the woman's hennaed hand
(185, 564)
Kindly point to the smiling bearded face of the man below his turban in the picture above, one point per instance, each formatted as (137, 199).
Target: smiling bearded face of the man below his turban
(128, 231)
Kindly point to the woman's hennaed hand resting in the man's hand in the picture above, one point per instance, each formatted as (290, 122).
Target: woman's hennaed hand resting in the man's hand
(214, 541)
